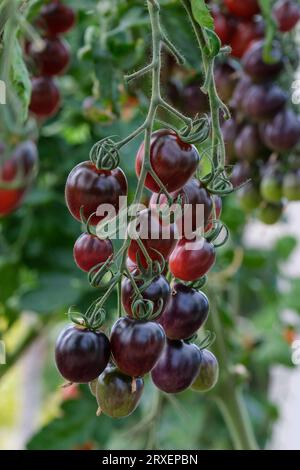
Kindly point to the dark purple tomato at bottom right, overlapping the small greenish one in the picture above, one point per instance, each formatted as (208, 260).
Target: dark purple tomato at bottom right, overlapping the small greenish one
(177, 367)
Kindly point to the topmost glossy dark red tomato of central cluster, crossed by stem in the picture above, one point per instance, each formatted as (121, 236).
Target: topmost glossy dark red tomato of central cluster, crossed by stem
(172, 160)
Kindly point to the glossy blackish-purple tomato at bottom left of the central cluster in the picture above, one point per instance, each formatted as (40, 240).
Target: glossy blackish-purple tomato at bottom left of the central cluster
(81, 355)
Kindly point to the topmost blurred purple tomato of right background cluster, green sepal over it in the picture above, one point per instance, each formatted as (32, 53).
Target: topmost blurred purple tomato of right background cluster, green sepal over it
(255, 65)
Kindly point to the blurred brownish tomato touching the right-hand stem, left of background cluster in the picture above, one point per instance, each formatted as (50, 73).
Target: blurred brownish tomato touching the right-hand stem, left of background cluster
(226, 79)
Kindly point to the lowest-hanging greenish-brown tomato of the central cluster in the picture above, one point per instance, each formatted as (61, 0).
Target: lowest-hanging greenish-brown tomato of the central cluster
(115, 395)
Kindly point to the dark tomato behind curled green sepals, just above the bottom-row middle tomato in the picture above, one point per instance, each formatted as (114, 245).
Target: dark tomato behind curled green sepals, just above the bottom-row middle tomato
(158, 291)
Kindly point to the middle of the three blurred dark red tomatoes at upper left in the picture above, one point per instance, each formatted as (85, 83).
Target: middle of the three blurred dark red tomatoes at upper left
(53, 59)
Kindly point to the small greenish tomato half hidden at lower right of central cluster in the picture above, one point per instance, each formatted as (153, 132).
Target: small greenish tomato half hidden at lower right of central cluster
(209, 373)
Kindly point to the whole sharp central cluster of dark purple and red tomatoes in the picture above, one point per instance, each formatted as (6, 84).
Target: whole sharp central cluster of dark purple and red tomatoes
(160, 343)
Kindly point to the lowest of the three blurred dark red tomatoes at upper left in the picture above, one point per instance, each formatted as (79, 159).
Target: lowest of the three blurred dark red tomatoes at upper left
(45, 97)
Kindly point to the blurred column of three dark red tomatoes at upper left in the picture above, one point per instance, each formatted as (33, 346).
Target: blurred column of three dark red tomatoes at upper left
(49, 57)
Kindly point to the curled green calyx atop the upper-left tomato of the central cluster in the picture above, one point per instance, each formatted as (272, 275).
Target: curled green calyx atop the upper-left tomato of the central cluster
(105, 154)
